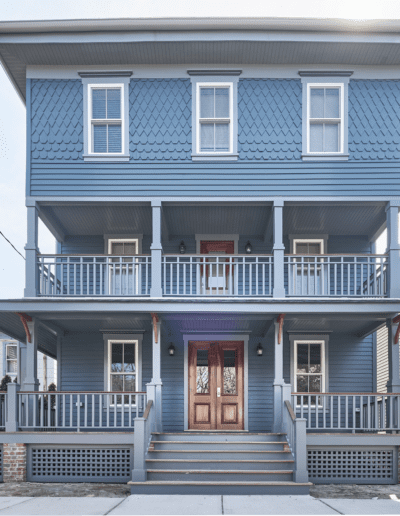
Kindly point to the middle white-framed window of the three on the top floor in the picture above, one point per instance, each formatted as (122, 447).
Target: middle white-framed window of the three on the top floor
(214, 118)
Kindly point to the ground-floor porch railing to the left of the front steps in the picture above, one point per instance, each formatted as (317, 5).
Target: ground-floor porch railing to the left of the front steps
(79, 410)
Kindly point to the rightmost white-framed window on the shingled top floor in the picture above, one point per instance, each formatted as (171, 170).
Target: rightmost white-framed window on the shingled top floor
(325, 115)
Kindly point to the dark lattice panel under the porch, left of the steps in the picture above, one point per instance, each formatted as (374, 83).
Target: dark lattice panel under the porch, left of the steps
(79, 464)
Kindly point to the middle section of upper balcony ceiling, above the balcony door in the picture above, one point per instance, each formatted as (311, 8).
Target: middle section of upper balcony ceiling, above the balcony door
(247, 219)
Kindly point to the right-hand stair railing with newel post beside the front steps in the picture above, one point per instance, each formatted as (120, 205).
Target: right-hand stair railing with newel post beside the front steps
(295, 429)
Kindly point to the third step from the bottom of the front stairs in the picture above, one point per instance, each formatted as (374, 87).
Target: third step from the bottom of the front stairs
(227, 465)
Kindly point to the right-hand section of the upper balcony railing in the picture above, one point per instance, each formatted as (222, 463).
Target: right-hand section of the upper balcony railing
(361, 275)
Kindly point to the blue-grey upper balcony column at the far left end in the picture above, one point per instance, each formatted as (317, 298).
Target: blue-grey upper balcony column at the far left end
(31, 251)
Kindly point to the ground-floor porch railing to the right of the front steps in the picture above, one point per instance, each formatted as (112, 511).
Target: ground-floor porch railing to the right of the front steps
(343, 411)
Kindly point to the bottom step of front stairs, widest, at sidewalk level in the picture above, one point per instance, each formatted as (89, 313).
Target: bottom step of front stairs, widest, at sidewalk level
(219, 488)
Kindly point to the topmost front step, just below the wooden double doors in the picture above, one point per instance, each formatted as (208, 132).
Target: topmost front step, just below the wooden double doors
(218, 436)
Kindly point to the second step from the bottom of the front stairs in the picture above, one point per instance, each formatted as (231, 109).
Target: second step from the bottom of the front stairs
(217, 475)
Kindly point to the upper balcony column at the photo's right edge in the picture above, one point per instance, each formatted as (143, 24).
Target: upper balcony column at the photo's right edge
(393, 249)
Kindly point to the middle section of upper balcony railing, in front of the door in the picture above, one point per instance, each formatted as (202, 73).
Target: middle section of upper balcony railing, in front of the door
(217, 275)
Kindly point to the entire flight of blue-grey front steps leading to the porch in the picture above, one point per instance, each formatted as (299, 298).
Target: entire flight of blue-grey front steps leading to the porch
(219, 463)
